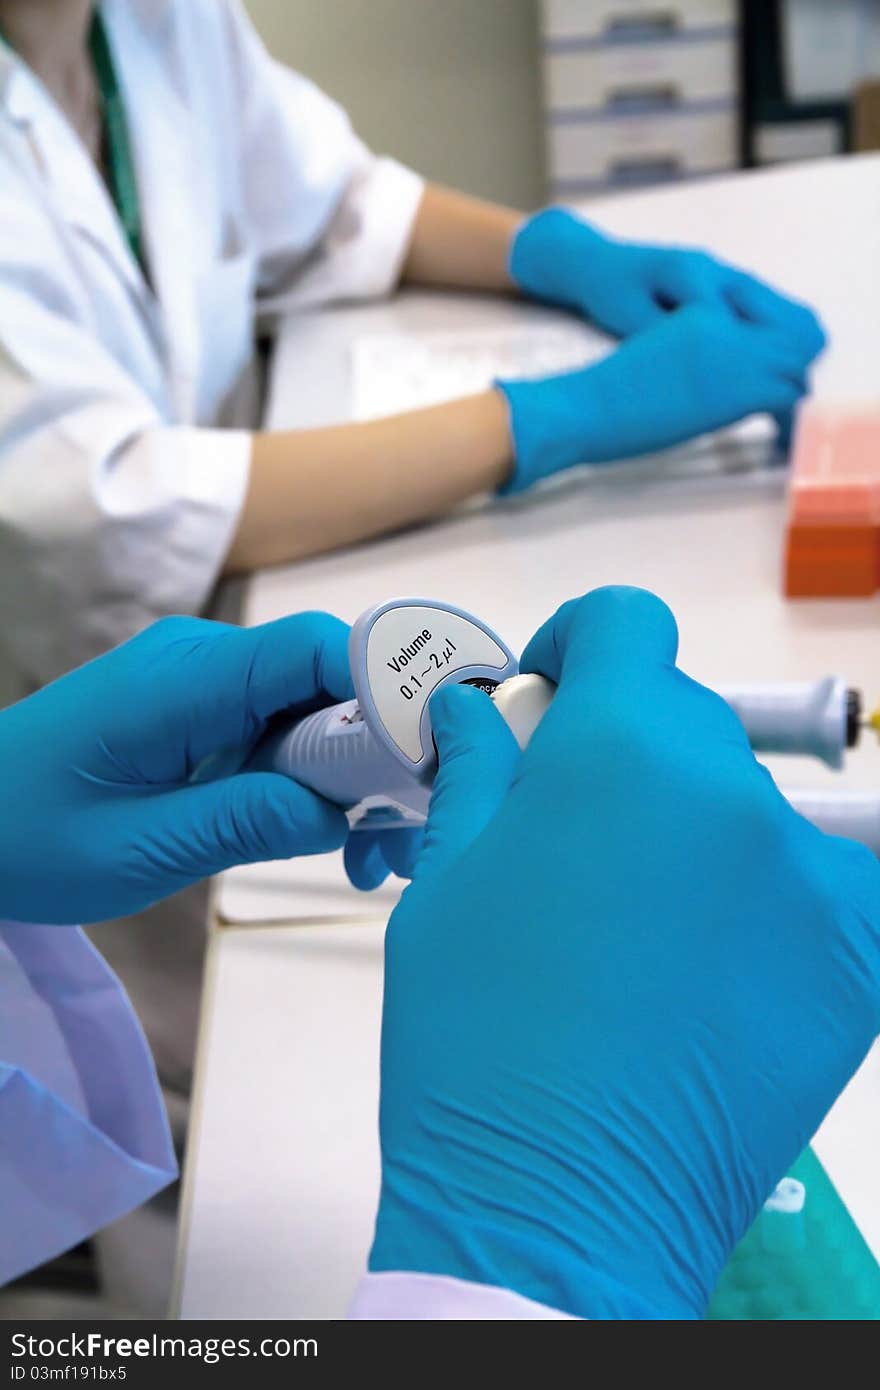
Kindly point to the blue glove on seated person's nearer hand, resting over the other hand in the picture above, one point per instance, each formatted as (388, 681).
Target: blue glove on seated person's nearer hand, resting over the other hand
(693, 372)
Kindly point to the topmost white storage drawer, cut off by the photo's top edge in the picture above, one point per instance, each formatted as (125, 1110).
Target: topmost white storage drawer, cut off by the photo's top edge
(605, 20)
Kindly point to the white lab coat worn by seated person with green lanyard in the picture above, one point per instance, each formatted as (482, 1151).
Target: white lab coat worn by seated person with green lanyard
(120, 477)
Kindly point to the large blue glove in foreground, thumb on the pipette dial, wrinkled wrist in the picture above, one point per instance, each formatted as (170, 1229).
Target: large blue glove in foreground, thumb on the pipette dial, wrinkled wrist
(622, 992)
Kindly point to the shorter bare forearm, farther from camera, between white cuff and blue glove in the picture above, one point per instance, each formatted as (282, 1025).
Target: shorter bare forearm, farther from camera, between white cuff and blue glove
(461, 243)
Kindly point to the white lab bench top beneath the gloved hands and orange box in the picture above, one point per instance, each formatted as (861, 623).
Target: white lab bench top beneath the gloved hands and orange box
(283, 1163)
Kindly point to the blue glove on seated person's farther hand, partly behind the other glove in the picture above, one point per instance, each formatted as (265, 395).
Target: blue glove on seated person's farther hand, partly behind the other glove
(626, 287)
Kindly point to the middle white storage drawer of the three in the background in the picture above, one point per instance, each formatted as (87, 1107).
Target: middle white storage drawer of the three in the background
(649, 74)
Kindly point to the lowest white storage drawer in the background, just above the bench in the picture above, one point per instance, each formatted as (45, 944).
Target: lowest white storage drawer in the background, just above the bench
(640, 149)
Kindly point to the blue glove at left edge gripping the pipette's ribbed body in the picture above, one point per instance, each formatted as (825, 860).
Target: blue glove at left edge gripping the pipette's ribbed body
(98, 812)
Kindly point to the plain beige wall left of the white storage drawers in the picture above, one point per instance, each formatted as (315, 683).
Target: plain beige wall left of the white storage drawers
(450, 87)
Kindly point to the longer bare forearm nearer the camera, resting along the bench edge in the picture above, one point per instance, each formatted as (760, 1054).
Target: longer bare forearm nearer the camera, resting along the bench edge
(319, 490)
